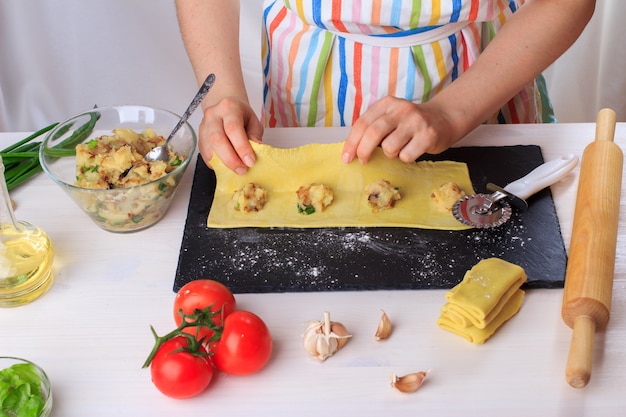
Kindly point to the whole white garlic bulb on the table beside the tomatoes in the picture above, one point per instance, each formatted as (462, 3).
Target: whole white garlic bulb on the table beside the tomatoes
(323, 339)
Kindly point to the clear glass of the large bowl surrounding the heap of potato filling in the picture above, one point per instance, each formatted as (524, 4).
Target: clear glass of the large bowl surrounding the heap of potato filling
(118, 209)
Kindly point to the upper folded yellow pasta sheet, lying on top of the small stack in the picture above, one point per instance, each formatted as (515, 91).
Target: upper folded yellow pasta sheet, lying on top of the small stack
(484, 291)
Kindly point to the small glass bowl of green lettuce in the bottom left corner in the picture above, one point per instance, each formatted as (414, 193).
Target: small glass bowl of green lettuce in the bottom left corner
(25, 389)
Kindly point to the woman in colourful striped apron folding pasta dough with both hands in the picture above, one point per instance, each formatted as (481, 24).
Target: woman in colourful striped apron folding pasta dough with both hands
(408, 76)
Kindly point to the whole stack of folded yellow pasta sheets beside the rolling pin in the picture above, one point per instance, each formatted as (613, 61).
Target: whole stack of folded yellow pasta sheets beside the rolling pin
(488, 296)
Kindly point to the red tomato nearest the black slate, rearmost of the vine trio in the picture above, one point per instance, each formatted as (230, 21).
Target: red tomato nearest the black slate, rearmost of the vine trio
(200, 294)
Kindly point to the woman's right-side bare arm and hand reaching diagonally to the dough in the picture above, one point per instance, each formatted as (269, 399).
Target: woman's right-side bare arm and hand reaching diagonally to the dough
(532, 39)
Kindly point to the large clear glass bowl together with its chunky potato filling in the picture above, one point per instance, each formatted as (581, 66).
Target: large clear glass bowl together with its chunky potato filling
(97, 158)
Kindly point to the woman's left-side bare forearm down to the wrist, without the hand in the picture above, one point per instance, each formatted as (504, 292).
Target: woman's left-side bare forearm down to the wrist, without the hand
(210, 32)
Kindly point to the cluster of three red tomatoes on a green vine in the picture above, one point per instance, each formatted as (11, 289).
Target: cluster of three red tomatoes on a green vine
(210, 334)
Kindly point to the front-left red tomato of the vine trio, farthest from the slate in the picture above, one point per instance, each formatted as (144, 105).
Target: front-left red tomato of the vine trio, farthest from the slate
(180, 374)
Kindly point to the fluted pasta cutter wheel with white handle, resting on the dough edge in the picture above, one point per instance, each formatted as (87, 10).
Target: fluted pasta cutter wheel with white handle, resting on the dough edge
(492, 210)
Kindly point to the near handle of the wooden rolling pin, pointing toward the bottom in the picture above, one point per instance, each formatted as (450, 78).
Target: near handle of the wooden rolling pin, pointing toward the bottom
(578, 369)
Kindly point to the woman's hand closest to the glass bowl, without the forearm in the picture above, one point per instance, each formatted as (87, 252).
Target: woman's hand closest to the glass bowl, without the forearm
(227, 129)
